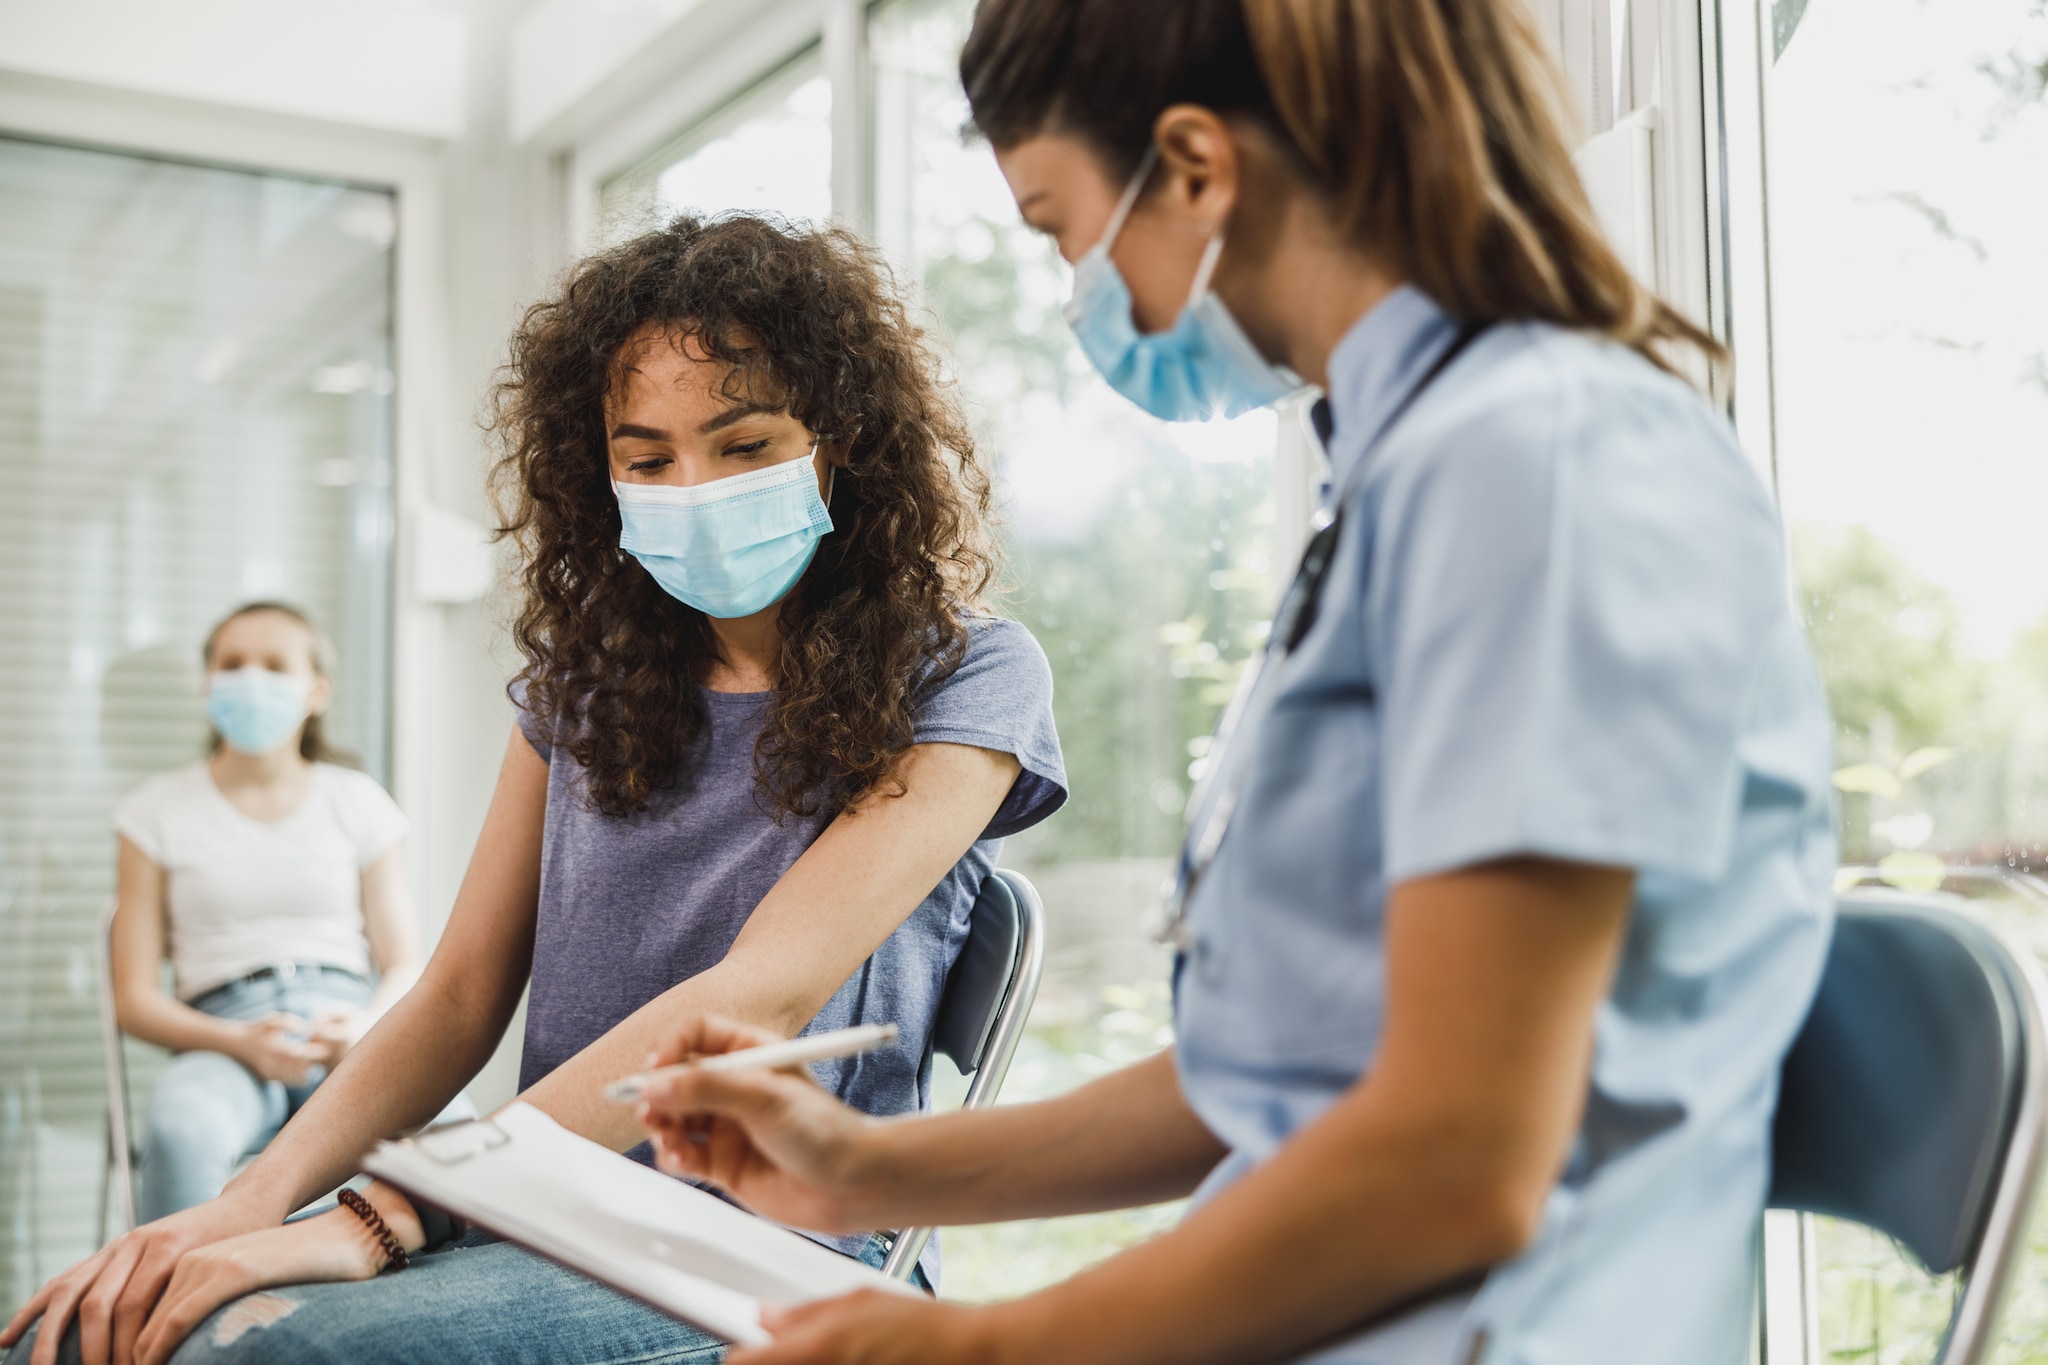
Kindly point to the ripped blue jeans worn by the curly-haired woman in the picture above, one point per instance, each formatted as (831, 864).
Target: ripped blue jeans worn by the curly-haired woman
(478, 1303)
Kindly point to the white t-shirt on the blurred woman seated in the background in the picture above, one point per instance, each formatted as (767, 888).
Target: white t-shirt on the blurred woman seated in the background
(245, 893)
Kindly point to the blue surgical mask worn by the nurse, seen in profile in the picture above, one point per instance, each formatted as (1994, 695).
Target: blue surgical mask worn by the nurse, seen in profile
(1197, 369)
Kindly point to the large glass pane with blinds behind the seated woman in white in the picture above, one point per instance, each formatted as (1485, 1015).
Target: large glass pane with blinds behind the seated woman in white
(196, 410)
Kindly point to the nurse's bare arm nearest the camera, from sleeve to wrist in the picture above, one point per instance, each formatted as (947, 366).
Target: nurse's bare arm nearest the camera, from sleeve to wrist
(1428, 1170)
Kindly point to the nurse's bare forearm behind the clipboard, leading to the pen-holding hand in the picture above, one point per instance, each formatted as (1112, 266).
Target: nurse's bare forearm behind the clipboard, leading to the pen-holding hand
(1123, 1141)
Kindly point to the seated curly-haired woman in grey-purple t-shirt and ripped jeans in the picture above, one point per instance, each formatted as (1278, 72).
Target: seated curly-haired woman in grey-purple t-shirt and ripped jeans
(767, 748)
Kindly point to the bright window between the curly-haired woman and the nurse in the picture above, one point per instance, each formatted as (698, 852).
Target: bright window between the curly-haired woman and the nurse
(1142, 560)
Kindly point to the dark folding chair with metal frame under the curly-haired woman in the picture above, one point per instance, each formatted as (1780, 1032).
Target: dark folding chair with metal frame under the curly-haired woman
(984, 1008)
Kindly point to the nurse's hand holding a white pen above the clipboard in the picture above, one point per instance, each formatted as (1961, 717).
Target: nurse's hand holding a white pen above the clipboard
(771, 1139)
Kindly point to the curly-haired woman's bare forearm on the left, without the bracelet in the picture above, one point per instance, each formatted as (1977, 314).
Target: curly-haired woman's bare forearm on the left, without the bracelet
(386, 1086)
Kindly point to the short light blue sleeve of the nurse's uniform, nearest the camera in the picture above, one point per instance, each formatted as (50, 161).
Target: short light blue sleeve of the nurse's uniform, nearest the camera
(1570, 615)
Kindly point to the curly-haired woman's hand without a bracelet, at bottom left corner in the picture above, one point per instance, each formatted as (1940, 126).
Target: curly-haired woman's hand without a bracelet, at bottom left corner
(114, 1290)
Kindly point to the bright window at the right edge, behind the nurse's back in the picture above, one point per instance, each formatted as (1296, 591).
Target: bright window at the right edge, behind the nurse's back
(1908, 210)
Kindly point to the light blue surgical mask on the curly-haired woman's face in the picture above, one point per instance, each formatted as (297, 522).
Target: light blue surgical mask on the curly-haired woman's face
(732, 547)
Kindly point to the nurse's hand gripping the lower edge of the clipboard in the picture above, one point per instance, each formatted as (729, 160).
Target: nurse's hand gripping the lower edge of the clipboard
(878, 1329)
